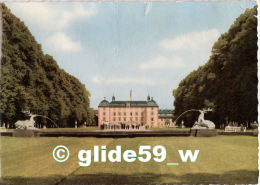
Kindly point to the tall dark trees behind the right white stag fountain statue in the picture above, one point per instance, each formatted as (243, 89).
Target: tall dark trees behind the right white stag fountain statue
(228, 81)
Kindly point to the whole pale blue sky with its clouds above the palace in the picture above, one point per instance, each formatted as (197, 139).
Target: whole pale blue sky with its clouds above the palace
(114, 47)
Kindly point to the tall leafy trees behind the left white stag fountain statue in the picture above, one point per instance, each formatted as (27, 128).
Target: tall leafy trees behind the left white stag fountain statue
(31, 80)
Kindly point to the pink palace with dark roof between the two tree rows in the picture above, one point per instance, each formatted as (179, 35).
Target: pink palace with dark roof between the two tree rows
(141, 113)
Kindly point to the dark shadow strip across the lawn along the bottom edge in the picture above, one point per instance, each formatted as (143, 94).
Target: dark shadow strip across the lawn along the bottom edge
(232, 177)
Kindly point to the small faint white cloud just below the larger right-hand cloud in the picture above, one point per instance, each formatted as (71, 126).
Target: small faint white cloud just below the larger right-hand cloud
(161, 62)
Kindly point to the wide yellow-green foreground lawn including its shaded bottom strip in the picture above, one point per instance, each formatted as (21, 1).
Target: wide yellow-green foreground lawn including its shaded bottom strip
(222, 159)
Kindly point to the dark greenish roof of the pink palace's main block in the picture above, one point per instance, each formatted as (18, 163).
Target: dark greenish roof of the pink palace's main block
(113, 103)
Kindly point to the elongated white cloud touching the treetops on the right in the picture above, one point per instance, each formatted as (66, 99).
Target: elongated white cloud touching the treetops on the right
(191, 41)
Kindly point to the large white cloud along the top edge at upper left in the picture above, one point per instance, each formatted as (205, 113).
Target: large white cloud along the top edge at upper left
(49, 17)
